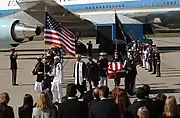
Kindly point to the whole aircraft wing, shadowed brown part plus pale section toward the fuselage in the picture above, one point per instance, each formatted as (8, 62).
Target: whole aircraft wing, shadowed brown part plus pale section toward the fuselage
(73, 21)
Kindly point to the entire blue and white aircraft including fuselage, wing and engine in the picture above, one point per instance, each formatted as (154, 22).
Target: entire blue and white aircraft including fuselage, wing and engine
(19, 18)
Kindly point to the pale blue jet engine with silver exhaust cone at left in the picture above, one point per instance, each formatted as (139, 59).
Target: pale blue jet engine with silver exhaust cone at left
(14, 32)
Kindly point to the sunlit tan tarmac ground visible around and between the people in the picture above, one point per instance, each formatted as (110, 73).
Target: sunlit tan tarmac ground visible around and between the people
(169, 83)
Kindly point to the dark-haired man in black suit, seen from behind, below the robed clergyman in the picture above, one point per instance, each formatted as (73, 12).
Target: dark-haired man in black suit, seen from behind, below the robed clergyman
(72, 108)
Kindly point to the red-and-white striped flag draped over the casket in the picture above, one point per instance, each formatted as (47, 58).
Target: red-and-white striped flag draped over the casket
(116, 69)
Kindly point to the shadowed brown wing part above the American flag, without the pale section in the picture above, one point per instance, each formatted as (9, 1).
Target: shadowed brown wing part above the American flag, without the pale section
(36, 9)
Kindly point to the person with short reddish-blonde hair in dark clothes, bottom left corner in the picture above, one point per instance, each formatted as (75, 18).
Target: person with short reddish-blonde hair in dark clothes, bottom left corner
(5, 110)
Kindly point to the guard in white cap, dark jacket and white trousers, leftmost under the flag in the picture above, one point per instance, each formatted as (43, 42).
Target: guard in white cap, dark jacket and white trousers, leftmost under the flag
(39, 71)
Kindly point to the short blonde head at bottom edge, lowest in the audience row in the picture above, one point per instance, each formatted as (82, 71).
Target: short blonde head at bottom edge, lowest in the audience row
(143, 112)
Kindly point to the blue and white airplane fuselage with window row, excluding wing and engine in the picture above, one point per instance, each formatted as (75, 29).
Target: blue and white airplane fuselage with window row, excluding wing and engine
(168, 11)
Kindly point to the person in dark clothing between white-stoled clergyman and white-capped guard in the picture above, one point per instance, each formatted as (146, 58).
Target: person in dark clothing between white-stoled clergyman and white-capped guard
(92, 73)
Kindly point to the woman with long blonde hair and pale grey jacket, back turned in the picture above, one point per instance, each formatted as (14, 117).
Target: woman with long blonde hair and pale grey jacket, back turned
(42, 109)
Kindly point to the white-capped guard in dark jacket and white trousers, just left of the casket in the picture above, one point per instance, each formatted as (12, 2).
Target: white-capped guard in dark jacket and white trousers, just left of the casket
(103, 68)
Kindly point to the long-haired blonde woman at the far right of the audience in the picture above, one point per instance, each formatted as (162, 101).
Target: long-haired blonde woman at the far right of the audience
(170, 108)
